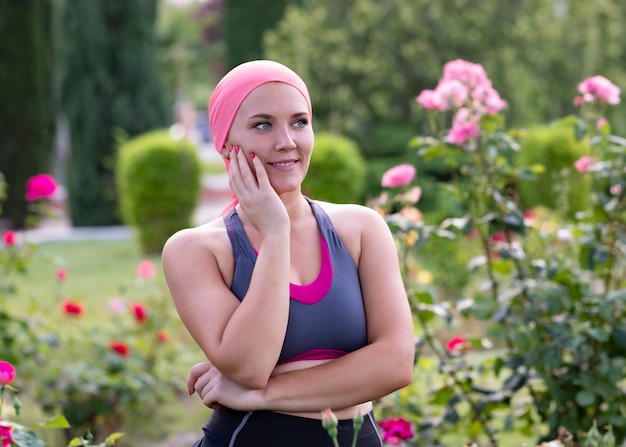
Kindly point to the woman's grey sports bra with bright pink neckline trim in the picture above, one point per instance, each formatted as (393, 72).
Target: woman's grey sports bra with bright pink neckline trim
(326, 317)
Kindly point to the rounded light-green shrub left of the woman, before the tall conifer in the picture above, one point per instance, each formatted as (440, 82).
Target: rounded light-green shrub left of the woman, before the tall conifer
(158, 181)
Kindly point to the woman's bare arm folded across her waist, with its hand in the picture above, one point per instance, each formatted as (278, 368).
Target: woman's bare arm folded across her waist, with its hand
(383, 366)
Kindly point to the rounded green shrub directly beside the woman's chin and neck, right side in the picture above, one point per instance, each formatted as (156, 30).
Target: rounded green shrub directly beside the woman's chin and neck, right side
(337, 170)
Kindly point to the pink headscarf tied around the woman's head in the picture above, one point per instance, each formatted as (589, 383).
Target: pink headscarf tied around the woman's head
(235, 86)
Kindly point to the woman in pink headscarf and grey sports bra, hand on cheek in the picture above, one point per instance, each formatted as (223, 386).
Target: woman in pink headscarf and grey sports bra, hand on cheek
(298, 305)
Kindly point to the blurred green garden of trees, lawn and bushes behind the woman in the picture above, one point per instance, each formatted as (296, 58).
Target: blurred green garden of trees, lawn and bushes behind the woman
(85, 83)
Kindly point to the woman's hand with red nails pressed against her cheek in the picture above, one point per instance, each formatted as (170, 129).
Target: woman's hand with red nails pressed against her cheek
(250, 184)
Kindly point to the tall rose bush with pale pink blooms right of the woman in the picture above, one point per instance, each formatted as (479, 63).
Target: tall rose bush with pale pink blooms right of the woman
(549, 290)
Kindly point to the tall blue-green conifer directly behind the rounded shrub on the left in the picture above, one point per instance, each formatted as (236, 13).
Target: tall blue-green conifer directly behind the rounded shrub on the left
(109, 87)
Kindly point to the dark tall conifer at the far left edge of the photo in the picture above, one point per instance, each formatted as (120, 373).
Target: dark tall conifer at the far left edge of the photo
(27, 111)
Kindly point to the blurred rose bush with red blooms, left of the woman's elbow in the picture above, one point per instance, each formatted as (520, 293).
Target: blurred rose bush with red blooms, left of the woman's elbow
(97, 376)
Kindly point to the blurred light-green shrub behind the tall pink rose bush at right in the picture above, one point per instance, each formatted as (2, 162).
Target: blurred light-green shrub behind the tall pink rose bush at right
(559, 186)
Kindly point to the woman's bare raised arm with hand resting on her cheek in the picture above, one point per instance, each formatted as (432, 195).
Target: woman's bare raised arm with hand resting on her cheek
(242, 339)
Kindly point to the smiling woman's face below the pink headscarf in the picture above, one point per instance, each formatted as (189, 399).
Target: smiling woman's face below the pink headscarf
(274, 123)
